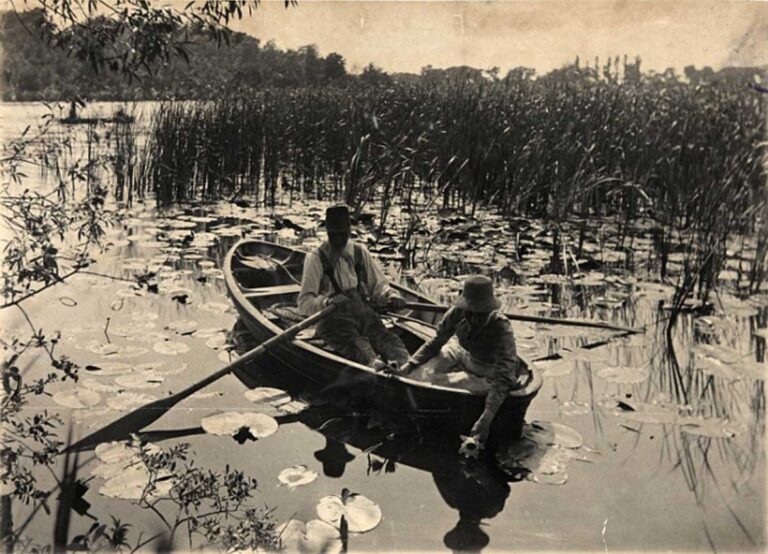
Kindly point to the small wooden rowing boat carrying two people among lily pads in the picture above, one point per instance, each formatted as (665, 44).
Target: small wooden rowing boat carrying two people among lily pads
(264, 281)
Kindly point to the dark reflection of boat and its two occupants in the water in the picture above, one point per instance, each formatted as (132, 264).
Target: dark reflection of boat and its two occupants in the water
(476, 489)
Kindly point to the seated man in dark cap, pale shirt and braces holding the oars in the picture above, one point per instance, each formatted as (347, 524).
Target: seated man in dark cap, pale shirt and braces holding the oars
(343, 273)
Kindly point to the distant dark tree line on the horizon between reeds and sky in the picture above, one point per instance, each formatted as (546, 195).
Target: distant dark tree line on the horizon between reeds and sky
(32, 70)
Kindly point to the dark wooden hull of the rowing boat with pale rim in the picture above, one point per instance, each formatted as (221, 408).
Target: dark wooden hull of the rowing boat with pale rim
(336, 377)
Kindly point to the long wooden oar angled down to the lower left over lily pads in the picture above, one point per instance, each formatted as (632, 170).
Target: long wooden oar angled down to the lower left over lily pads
(148, 414)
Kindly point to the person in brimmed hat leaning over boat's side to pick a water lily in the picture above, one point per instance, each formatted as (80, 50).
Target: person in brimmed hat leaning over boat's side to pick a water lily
(475, 337)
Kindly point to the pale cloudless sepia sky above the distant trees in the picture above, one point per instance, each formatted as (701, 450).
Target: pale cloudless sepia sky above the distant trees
(404, 36)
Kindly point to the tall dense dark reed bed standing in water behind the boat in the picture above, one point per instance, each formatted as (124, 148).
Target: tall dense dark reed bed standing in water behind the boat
(567, 147)
